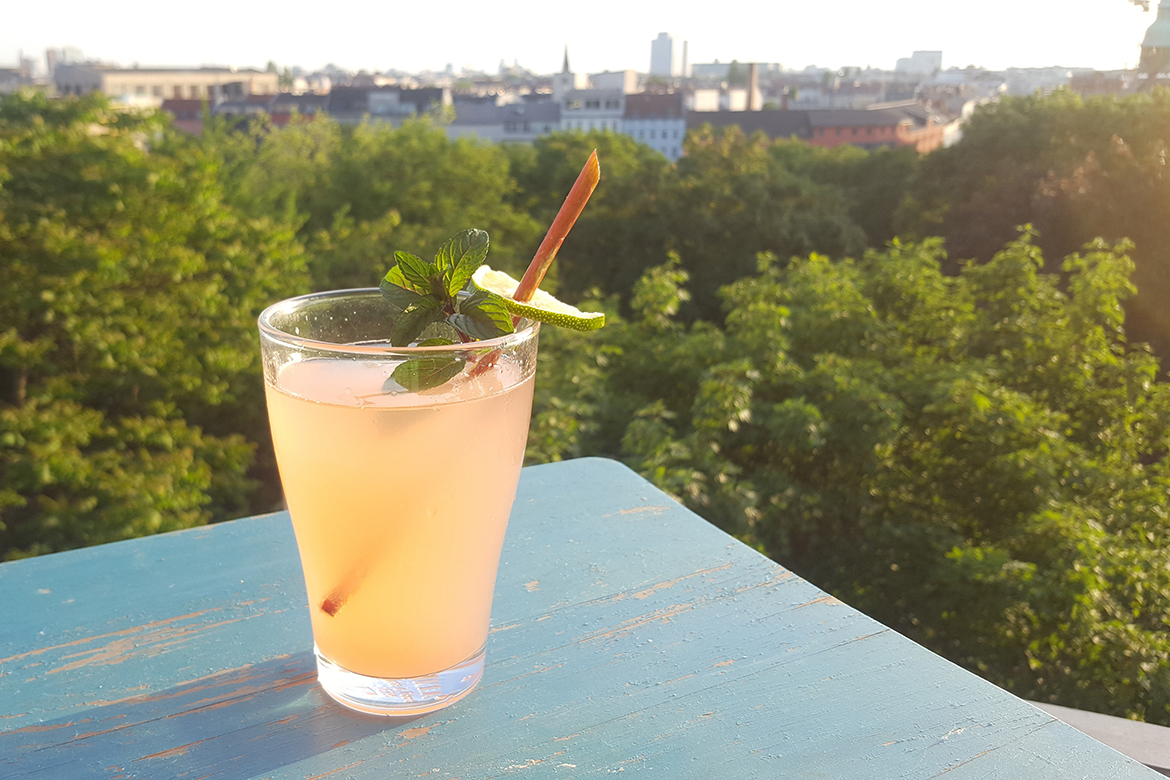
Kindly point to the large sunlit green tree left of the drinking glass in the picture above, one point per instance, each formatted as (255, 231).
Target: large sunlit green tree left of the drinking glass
(128, 303)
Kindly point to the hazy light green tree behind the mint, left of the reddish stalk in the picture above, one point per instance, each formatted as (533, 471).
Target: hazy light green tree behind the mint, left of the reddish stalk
(361, 194)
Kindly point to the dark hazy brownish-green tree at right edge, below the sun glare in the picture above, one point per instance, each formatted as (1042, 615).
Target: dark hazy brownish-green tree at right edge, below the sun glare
(1076, 169)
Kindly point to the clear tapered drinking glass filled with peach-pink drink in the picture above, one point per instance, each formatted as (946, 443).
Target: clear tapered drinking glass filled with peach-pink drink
(400, 500)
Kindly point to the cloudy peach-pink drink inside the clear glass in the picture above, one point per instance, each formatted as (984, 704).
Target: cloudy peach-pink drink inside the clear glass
(400, 493)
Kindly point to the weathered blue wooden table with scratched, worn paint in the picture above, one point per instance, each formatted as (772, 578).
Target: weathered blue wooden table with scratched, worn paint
(629, 637)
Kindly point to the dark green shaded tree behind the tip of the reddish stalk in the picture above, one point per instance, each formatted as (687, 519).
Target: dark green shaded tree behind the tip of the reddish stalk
(729, 198)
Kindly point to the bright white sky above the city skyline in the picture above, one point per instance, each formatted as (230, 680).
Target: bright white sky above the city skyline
(601, 36)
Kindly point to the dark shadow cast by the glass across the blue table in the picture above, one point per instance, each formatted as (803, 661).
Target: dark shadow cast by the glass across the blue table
(237, 724)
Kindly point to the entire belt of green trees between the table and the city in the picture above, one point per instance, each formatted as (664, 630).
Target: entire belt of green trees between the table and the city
(974, 453)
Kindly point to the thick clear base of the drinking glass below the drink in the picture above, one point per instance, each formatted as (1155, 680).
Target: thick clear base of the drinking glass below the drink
(407, 696)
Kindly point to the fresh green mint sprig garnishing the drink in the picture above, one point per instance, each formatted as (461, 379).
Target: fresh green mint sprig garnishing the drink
(423, 294)
